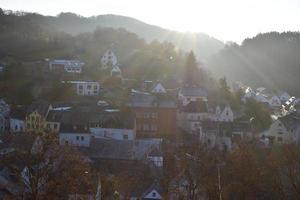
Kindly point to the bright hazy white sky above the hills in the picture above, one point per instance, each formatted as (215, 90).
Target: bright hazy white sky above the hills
(228, 20)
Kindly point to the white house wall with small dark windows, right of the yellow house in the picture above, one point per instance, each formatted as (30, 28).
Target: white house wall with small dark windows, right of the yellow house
(75, 139)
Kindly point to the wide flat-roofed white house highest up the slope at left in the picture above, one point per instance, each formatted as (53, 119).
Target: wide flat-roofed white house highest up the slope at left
(69, 66)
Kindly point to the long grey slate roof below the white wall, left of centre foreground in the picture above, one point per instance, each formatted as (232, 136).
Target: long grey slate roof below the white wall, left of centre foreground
(122, 150)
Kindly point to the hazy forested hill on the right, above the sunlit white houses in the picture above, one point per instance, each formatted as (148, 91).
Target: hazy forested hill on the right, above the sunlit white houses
(268, 60)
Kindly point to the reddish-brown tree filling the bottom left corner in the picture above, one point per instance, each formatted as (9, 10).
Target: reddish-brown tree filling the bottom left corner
(49, 171)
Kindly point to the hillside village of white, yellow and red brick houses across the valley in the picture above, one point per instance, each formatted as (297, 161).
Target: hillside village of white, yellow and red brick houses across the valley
(154, 119)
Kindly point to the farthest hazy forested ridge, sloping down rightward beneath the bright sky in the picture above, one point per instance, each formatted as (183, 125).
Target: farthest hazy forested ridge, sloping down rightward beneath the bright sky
(203, 45)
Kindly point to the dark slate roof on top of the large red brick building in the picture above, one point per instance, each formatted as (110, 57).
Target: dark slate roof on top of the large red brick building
(139, 100)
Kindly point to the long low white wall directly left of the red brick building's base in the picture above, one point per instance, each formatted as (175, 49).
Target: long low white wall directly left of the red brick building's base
(113, 133)
